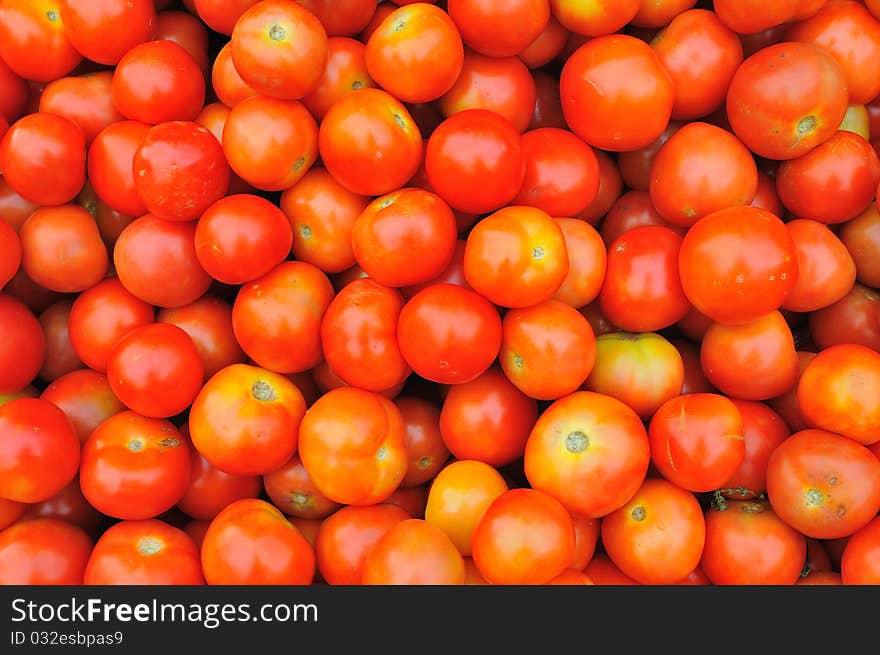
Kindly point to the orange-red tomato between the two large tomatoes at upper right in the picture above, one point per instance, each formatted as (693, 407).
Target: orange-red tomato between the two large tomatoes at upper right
(701, 55)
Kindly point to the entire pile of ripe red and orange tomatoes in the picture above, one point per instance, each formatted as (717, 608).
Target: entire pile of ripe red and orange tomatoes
(478, 291)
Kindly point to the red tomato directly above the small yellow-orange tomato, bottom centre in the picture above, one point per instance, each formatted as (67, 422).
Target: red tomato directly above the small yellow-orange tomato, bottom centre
(487, 419)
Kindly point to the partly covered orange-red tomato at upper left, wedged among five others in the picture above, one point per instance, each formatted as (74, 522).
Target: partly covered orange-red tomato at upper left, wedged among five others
(85, 100)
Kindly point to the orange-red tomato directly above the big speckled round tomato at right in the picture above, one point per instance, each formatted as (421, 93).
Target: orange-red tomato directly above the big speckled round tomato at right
(699, 170)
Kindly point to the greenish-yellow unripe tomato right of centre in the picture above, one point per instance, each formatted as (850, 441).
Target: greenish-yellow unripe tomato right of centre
(641, 370)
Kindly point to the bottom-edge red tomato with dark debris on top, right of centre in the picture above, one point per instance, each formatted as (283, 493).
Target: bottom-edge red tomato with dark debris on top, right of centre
(748, 544)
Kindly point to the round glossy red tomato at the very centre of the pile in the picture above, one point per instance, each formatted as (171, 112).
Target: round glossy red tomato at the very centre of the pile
(448, 334)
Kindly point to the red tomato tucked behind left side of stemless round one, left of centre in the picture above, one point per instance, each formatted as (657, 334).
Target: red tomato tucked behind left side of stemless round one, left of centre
(156, 262)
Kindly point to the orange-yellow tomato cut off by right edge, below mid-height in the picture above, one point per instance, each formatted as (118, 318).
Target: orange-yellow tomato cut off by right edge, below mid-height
(838, 392)
